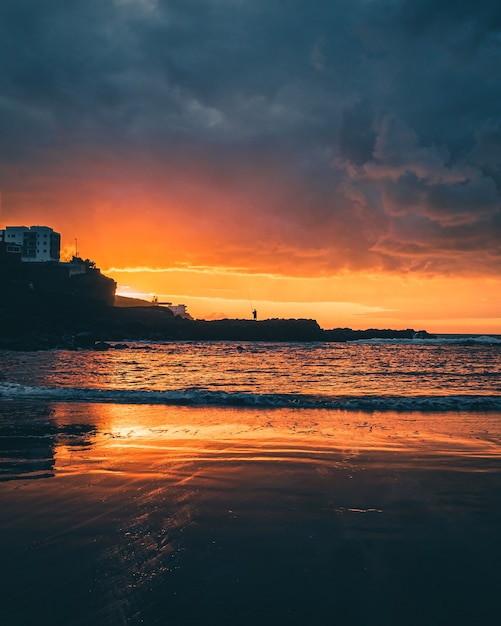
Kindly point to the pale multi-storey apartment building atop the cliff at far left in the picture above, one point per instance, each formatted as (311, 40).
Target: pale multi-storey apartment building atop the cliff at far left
(38, 243)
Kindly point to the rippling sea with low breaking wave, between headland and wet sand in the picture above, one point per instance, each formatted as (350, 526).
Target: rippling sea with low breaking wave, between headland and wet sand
(446, 373)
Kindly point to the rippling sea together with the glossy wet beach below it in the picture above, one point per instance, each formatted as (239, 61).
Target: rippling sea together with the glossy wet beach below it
(276, 483)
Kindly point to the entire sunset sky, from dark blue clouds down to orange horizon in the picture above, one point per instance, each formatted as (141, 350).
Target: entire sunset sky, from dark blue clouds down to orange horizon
(329, 159)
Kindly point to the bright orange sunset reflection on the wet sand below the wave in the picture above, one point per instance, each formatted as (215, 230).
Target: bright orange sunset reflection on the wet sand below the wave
(145, 439)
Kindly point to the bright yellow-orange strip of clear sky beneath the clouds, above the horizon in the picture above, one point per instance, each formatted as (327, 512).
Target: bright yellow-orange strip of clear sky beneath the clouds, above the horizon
(359, 301)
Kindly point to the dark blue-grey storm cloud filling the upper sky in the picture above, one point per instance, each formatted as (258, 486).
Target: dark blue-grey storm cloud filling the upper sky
(382, 116)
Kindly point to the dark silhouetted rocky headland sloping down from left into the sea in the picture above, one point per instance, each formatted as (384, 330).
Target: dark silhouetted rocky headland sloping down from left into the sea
(50, 305)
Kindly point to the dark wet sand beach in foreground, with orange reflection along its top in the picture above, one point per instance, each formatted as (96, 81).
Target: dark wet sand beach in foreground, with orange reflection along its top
(115, 514)
